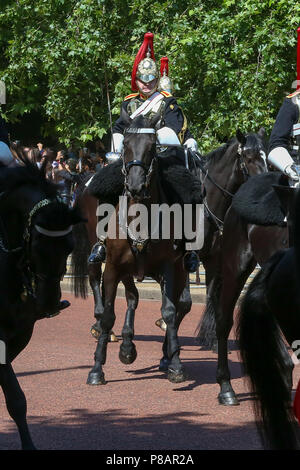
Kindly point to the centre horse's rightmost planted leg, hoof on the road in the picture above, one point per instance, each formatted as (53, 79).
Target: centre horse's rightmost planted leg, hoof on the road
(171, 294)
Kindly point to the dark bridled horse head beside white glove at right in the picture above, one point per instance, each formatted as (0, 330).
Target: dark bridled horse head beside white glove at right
(251, 153)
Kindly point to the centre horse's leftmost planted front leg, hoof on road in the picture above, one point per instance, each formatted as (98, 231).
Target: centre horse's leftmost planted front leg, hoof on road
(107, 320)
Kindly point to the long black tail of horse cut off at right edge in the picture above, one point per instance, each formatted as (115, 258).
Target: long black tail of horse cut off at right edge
(261, 347)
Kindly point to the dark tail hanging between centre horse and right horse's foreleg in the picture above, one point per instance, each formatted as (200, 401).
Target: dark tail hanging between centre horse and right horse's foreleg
(206, 329)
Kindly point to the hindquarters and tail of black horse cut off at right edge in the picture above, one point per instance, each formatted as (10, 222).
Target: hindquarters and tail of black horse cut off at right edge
(270, 307)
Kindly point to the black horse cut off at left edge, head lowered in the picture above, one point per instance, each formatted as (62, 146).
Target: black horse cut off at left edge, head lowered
(35, 241)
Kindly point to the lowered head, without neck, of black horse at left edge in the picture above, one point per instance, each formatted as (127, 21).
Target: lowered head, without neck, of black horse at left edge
(49, 240)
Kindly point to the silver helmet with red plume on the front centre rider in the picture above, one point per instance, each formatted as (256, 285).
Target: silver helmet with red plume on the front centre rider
(144, 67)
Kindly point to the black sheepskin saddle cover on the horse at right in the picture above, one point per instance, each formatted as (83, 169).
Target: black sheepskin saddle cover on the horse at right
(257, 202)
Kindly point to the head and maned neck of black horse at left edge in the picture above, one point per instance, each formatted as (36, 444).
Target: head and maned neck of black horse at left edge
(38, 224)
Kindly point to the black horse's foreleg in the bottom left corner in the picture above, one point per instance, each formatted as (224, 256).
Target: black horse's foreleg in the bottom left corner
(16, 403)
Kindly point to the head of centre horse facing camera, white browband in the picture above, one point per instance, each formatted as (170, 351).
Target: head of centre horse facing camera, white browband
(139, 154)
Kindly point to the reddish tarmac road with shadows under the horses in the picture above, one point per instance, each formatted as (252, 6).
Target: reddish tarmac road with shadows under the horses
(138, 409)
